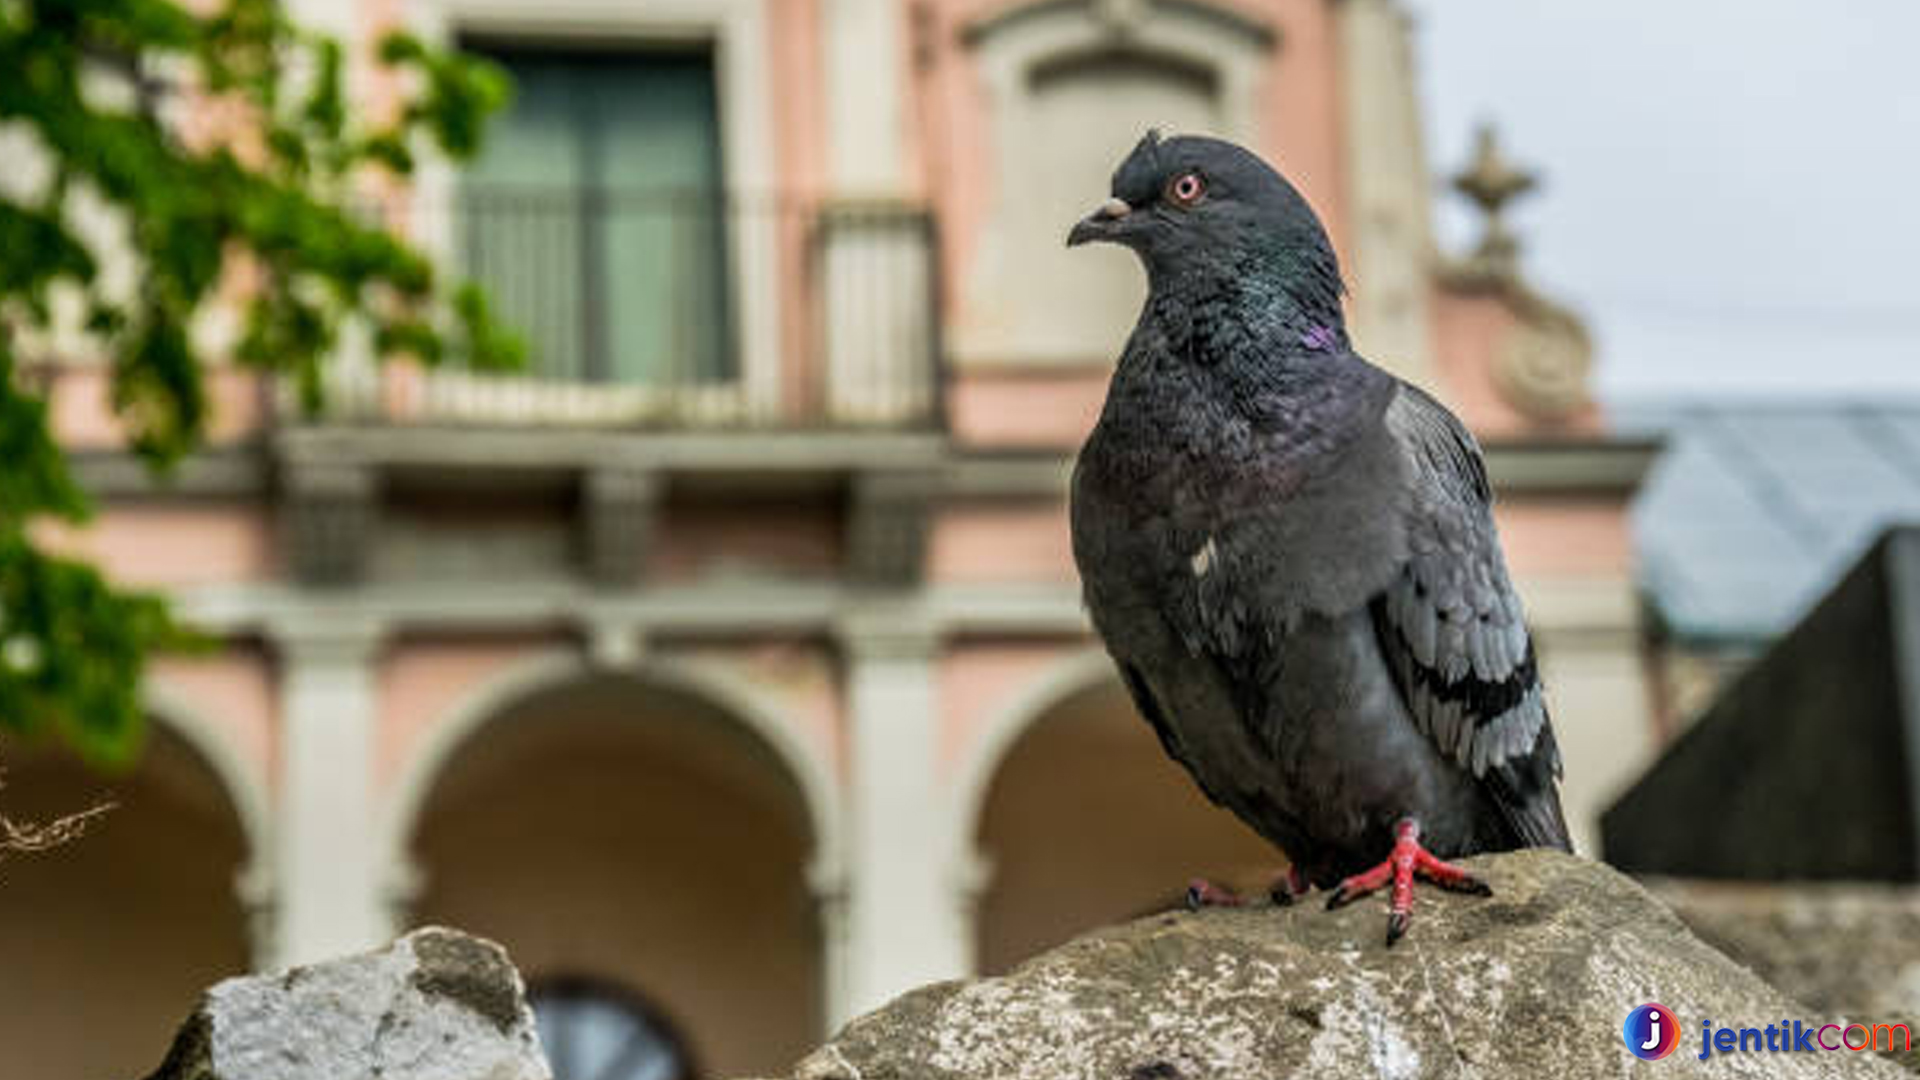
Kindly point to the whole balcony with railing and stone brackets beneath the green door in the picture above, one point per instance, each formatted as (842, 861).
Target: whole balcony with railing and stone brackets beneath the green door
(684, 355)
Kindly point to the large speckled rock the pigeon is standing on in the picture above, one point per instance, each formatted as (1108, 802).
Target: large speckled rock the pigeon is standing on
(1533, 983)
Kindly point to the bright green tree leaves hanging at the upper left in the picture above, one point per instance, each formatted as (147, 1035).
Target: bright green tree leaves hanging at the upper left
(218, 153)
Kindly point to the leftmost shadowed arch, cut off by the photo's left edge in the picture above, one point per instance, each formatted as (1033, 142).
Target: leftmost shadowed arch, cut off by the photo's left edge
(162, 896)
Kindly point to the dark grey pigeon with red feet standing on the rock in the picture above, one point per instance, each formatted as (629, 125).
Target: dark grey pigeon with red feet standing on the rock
(1291, 554)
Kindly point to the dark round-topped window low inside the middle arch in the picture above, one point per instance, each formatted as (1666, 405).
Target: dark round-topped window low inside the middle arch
(596, 1031)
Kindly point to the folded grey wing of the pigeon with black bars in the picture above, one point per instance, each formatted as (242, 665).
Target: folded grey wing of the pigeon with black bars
(1452, 627)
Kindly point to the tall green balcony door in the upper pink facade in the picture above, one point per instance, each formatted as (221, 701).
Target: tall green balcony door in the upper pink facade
(596, 214)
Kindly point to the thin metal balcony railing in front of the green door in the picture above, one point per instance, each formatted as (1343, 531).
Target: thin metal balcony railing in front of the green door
(681, 312)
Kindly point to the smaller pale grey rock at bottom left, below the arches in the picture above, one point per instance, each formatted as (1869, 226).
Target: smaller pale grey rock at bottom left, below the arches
(433, 1006)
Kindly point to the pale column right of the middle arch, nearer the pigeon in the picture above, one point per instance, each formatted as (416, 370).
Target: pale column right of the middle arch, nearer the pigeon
(903, 908)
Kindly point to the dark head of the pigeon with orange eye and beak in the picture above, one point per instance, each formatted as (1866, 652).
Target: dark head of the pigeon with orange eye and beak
(1203, 210)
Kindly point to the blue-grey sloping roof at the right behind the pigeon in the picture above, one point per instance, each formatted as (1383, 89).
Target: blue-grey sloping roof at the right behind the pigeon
(1754, 512)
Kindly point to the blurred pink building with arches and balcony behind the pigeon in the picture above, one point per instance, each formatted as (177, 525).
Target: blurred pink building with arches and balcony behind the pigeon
(729, 666)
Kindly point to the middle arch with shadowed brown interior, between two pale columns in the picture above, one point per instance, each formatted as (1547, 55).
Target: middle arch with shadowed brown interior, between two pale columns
(652, 825)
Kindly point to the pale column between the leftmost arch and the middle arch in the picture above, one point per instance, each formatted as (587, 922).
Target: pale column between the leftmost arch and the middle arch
(331, 900)
